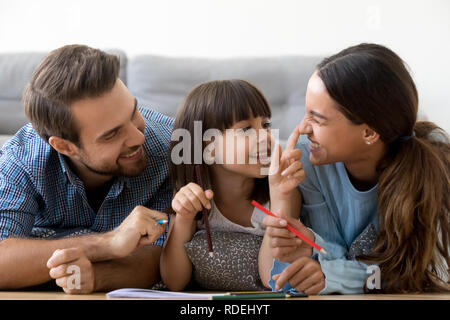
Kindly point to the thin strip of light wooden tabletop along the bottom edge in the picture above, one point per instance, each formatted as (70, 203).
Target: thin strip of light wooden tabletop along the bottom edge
(23, 295)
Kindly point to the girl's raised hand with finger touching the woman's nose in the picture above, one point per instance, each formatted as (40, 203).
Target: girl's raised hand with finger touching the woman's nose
(287, 173)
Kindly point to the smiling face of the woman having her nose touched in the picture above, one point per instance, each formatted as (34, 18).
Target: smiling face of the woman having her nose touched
(333, 138)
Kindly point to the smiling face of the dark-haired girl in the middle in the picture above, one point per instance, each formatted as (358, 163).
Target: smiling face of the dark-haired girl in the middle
(244, 148)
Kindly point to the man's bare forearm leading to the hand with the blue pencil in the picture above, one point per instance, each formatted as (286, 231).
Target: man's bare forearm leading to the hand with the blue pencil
(23, 262)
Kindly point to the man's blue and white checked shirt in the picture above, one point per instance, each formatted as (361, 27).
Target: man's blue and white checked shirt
(41, 197)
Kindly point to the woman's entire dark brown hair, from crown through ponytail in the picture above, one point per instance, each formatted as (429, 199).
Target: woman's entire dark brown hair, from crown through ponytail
(372, 85)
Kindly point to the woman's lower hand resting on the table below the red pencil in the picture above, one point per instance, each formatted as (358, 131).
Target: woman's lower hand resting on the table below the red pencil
(304, 274)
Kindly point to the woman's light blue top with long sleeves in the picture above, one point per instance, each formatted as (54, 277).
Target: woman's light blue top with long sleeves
(337, 213)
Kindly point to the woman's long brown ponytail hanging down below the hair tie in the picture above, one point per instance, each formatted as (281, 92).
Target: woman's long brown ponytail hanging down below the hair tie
(412, 249)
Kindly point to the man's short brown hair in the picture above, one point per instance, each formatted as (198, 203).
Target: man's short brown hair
(66, 75)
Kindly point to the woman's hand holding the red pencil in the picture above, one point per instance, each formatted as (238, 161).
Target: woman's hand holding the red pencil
(284, 245)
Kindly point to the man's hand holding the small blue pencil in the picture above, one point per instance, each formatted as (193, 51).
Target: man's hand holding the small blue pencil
(139, 228)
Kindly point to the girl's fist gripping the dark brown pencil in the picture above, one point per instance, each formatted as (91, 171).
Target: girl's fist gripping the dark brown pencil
(191, 199)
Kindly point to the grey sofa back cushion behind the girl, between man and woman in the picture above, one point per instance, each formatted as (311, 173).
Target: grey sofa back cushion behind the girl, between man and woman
(161, 83)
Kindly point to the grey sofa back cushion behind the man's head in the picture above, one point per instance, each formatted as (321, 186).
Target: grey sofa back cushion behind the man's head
(16, 70)
